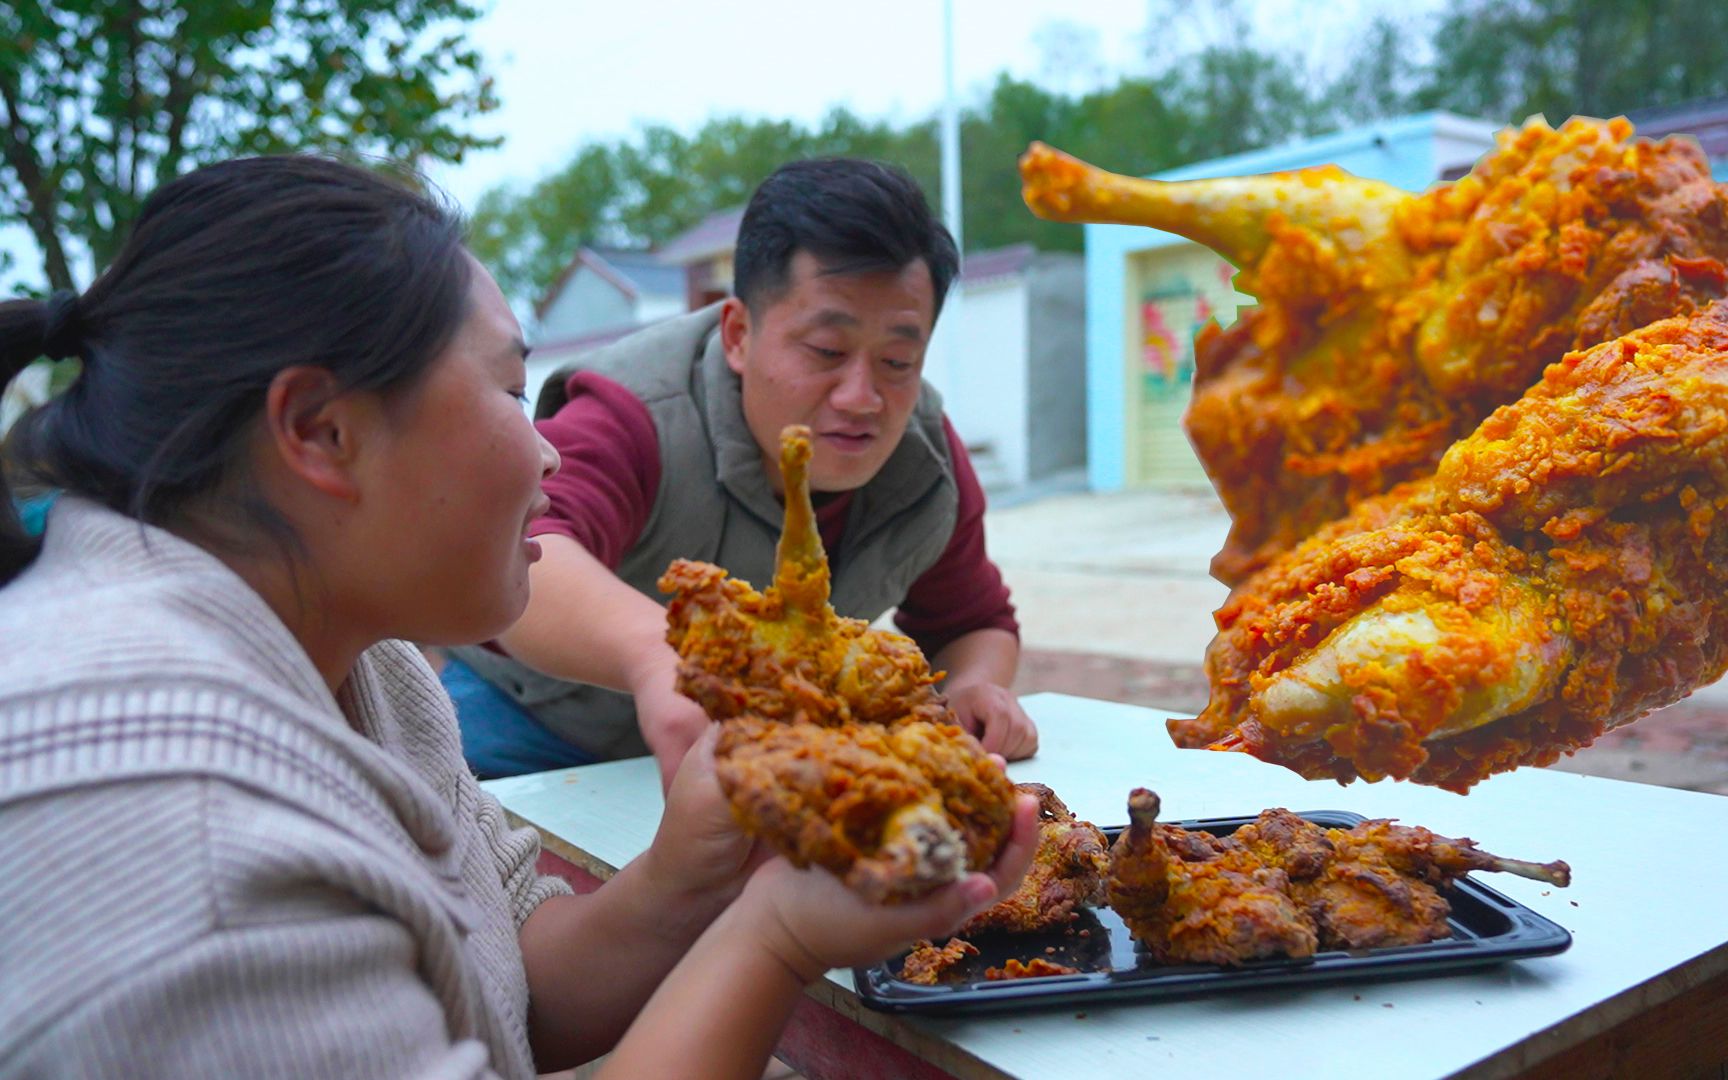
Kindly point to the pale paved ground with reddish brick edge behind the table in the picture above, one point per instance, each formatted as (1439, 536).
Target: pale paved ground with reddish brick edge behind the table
(1115, 604)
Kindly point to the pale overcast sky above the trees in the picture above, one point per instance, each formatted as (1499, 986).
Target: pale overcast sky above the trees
(569, 72)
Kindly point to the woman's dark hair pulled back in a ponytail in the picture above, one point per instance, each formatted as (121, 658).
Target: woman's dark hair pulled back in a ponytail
(231, 276)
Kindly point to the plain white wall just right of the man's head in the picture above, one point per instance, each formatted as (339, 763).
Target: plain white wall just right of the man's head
(986, 381)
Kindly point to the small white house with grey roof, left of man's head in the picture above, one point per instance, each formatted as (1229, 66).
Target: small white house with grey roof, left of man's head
(600, 298)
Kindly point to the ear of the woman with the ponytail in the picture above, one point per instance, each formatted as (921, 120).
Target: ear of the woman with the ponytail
(315, 429)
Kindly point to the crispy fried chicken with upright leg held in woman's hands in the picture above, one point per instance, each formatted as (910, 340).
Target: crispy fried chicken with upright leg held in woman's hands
(835, 746)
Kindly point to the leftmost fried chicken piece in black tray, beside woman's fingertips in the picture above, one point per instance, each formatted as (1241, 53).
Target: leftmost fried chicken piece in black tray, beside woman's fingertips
(1067, 874)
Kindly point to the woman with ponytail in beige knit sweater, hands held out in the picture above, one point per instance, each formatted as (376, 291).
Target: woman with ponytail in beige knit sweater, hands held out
(238, 835)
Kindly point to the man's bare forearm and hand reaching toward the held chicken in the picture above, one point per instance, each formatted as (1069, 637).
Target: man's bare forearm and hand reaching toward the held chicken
(585, 625)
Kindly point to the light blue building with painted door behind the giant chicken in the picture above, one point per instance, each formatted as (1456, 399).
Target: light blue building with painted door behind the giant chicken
(1150, 291)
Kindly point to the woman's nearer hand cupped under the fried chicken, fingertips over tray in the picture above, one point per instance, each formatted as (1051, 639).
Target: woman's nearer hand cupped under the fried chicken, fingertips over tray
(811, 922)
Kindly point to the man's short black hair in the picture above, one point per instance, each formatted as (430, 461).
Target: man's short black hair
(854, 217)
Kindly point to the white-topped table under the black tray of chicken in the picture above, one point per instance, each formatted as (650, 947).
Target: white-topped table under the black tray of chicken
(1644, 986)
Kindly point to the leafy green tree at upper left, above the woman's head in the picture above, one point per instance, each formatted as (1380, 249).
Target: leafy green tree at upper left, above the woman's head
(101, 101)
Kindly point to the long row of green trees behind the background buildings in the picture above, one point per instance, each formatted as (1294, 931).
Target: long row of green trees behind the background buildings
(1496, 60)
